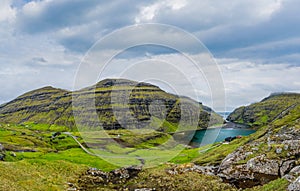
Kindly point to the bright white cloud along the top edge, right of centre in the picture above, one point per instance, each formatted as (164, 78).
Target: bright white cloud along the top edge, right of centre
(208, 13)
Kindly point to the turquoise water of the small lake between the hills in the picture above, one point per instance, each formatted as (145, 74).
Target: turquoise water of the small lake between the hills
(204, 137)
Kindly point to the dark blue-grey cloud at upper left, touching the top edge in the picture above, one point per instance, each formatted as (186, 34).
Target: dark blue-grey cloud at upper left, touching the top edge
(76, 24)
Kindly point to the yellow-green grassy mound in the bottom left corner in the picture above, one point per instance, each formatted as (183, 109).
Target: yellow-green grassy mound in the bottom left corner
(38, 174)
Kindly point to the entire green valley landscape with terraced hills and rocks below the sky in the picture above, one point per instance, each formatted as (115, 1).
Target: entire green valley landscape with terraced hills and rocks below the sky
(43, 147)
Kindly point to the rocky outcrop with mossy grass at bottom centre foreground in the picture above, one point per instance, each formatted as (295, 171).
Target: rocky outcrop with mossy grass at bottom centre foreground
(183, 177)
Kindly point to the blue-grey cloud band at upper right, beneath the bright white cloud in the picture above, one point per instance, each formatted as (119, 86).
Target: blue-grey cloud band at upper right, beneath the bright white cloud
(282, 26)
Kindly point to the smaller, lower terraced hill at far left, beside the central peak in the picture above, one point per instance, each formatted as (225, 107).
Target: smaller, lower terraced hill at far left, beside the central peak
(46, 105)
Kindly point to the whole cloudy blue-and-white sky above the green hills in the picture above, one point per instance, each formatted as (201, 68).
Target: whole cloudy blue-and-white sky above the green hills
(256, 44)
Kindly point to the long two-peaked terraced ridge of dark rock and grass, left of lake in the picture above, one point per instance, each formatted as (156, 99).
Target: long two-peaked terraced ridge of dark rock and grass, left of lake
(118, 103)
